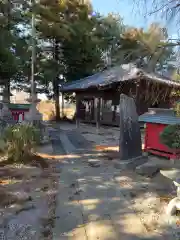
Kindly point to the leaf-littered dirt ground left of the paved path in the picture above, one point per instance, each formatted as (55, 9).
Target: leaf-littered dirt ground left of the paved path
(27, 198)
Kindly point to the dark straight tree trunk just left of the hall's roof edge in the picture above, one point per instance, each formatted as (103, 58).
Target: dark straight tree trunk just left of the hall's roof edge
(56, 82)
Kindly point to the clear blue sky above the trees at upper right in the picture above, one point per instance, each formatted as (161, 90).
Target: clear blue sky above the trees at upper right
(131, 14)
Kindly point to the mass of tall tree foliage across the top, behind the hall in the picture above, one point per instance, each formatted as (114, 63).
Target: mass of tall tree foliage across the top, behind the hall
(71, 42)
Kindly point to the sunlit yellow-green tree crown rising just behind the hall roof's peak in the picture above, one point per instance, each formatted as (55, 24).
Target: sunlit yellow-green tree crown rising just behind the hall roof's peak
(150, 47)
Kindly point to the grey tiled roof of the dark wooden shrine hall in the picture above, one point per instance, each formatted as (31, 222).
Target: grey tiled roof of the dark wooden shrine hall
(116, 74)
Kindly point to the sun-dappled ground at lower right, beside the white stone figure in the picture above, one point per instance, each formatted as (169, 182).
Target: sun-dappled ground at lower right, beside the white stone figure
(149, 198)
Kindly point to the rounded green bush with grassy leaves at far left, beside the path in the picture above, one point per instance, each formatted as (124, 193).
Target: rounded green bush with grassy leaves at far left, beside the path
(20, 141)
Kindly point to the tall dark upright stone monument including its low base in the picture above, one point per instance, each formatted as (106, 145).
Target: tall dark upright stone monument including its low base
(130, 146)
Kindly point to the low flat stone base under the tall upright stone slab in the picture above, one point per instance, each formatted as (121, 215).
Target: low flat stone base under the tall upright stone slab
(131, 163)
